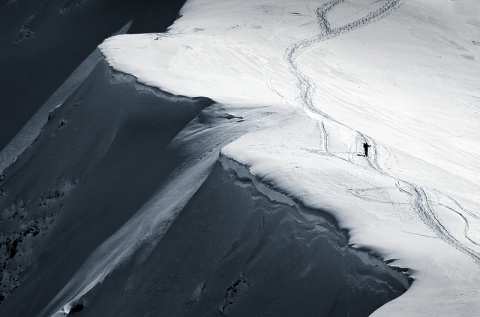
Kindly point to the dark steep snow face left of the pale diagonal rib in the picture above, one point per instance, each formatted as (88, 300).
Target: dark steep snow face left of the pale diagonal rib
(80, 180)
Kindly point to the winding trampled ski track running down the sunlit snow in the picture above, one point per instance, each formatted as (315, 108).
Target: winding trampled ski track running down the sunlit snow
(419, 195)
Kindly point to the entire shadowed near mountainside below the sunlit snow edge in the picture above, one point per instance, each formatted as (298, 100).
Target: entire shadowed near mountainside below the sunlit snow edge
(98, 213)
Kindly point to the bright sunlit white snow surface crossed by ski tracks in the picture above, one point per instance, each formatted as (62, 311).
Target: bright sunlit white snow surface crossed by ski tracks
(400, 75)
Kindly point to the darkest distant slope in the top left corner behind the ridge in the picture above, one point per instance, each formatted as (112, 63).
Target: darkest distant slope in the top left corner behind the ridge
(42, 42)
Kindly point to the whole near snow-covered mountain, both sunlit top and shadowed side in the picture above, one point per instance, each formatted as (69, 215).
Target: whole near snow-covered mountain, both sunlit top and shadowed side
(133, 201)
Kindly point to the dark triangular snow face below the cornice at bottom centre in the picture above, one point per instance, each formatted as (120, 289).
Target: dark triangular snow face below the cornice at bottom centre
(233, 251)
